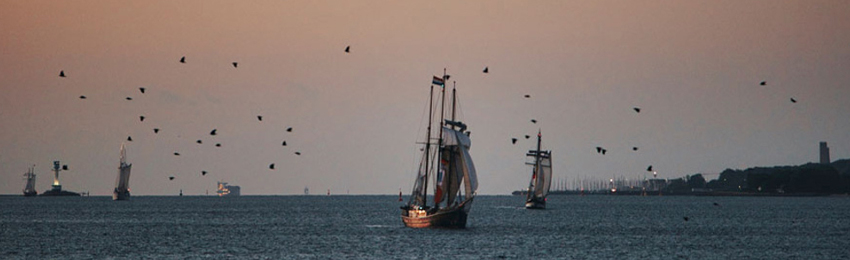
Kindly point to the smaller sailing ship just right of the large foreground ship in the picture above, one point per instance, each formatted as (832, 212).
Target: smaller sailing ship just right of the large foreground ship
(541, 177)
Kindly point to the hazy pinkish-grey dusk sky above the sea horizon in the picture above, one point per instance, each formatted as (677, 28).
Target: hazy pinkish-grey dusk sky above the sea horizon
(693, 67)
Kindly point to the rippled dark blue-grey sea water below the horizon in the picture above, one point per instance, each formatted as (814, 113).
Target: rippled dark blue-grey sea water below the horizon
(369, 227)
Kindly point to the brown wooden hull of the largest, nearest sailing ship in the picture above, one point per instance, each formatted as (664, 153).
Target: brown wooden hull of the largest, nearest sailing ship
(443, 218)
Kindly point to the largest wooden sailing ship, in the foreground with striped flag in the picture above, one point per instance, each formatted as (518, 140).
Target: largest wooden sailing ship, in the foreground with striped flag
(445, 162)
